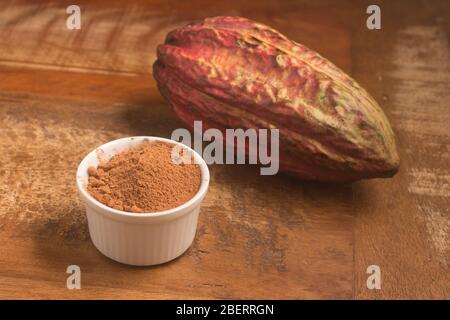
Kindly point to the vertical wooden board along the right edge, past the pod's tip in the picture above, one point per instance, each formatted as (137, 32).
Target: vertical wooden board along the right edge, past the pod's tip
(403, 224)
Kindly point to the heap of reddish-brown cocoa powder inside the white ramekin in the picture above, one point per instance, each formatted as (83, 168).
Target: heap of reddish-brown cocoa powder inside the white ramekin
(144, 179)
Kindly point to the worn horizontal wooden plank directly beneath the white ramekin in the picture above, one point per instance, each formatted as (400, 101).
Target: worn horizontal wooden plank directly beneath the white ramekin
(265, 244)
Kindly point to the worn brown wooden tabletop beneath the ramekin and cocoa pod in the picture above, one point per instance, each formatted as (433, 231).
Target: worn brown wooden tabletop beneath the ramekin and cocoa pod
(64, 92)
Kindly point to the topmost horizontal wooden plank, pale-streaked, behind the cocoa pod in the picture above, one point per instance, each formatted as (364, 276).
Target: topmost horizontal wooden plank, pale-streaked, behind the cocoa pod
(122, 39)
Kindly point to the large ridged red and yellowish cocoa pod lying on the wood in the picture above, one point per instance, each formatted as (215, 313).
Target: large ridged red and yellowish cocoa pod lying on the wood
(231, 72)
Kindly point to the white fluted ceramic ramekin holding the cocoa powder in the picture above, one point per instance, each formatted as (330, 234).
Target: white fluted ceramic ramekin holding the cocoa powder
(140, 239)
